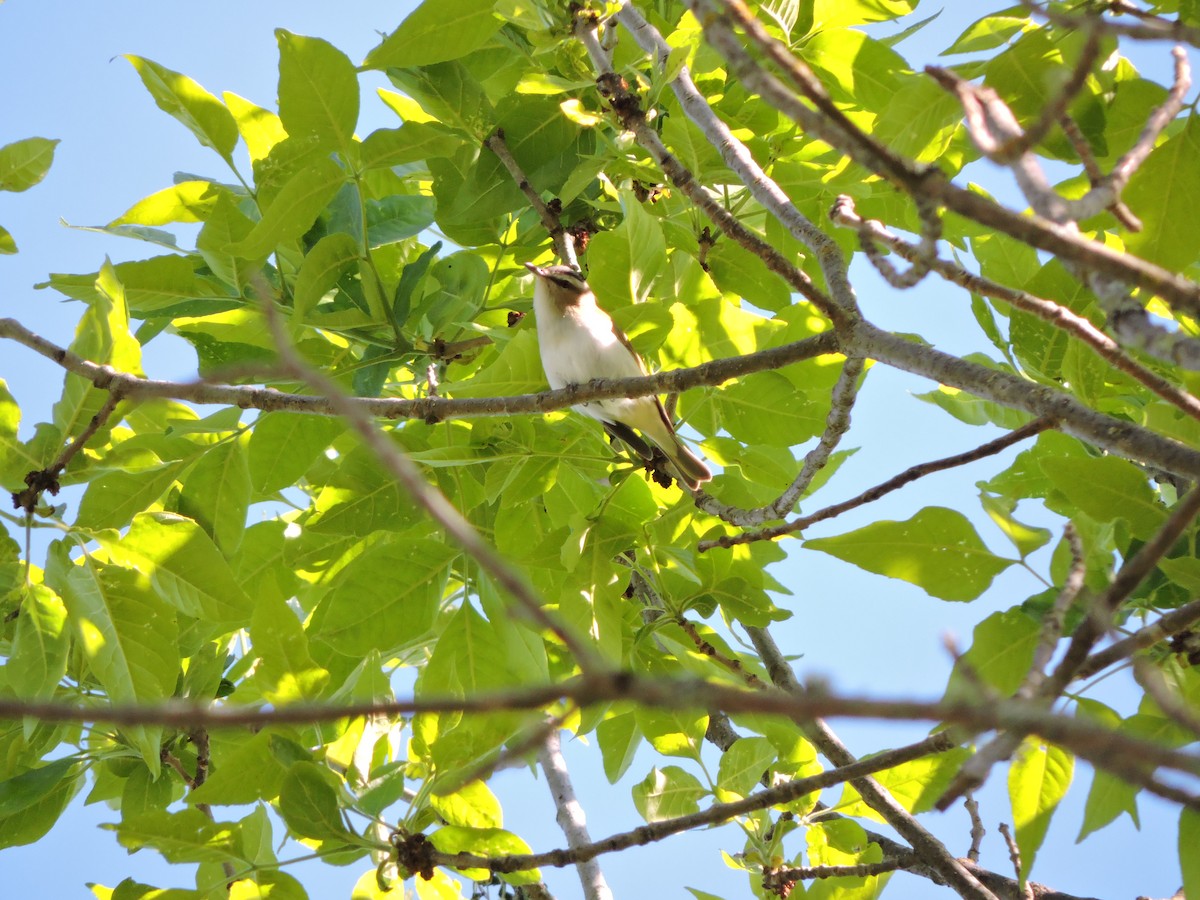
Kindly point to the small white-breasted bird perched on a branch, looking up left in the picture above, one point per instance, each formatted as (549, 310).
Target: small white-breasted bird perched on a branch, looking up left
(580, 344)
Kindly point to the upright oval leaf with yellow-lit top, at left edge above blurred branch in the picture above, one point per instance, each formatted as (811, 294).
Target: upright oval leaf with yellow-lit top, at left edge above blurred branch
(40, 646)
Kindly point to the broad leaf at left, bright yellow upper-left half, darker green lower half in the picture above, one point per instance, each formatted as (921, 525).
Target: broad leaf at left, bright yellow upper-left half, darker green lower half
(185, 568)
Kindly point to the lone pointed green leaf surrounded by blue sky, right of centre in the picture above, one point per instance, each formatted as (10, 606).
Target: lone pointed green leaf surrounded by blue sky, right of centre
(937, 550)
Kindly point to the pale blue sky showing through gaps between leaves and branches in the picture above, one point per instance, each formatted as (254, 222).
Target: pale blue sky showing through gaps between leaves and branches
(64, 77)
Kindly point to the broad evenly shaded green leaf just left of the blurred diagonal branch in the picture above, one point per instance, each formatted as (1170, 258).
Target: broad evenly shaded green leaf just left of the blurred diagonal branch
(386, 598)
